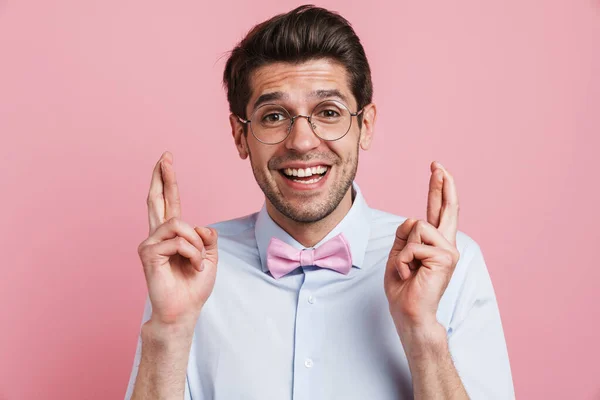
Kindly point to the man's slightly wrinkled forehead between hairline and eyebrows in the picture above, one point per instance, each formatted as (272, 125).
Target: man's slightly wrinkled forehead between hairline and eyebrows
(299, 82)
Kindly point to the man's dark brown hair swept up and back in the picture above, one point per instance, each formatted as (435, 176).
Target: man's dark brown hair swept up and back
(303, 34)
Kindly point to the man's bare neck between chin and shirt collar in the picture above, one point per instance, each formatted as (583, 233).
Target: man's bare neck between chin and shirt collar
(309, 234)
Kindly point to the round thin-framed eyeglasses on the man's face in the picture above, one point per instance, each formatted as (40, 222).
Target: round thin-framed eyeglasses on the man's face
(271, 123)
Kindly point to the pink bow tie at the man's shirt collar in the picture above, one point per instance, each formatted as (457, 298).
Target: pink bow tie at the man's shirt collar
(333, 254)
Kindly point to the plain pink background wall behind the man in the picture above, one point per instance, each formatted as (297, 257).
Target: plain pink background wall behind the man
(506, 94)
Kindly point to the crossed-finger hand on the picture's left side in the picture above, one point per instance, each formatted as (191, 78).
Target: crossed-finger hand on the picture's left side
(180, 261)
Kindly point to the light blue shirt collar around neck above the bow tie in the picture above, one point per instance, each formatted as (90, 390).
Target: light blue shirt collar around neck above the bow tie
(355, 226)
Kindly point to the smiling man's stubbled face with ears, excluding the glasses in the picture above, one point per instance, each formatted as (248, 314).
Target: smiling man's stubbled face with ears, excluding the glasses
(333, 164)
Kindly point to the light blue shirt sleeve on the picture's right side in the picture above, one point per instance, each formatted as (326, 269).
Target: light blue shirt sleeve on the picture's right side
(475, 335)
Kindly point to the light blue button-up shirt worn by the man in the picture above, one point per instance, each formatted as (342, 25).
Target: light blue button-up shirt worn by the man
(316, 334)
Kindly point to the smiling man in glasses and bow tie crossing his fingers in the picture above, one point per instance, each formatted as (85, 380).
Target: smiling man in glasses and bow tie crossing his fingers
(317, 296)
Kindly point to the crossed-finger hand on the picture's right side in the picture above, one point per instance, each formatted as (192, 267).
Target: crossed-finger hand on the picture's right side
(423, 258)
